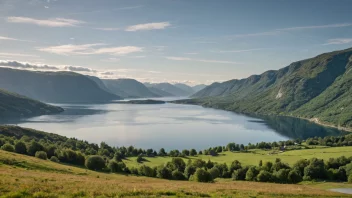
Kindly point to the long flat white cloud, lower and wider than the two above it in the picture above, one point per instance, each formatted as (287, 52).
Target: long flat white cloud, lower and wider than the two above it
(88, 49)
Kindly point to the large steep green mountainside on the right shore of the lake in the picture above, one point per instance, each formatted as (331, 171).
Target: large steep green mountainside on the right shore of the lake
(318, 89)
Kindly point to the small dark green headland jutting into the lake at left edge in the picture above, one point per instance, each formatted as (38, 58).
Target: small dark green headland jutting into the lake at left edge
(14, 105)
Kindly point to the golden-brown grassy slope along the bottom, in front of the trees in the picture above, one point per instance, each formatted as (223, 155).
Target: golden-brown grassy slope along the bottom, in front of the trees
(24, 176)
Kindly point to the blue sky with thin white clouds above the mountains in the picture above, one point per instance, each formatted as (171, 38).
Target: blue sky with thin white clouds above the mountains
(187, 41)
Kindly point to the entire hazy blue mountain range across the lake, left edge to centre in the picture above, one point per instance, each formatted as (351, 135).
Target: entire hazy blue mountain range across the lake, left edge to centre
(70, 87)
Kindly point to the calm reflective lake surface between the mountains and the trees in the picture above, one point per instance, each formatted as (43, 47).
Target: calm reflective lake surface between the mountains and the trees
(169, 126)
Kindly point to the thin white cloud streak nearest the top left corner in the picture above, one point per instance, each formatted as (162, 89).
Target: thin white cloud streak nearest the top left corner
(55, 22)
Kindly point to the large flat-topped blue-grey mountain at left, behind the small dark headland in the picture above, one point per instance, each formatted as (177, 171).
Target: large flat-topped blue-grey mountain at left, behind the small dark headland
(54, 87)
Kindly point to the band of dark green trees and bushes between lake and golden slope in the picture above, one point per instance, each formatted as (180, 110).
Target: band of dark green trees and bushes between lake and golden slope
(109, 159)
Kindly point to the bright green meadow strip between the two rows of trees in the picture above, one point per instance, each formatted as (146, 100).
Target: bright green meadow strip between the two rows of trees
(253, 157)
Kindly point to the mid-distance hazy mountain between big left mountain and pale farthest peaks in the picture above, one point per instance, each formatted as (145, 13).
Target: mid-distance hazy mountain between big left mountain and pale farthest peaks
(129, 88)
